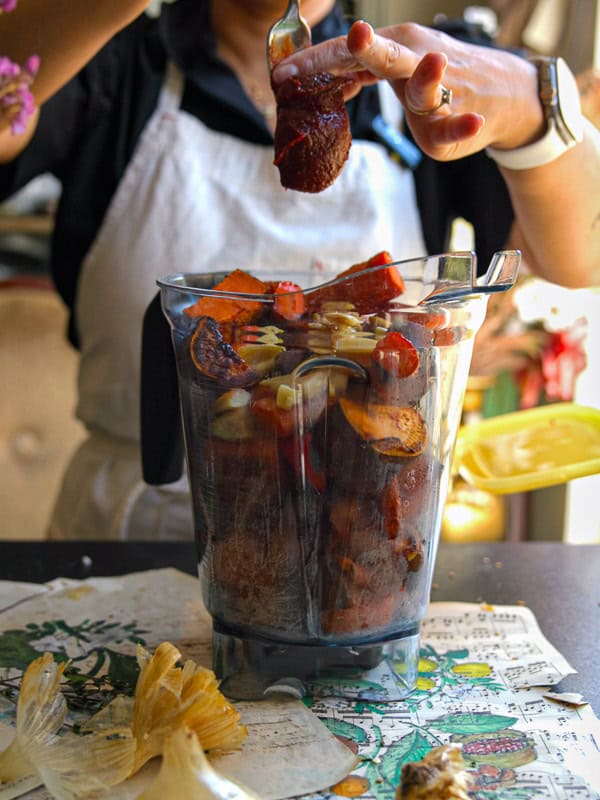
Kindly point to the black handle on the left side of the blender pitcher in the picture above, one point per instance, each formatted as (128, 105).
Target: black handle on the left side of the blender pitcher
(161, 431)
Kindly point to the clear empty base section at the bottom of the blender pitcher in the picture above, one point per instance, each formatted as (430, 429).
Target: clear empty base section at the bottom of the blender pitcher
(255, 669)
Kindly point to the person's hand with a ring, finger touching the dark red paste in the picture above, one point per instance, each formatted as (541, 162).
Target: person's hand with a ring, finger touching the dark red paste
(494, 93)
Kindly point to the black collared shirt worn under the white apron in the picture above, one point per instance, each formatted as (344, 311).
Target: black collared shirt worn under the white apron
(88, 131)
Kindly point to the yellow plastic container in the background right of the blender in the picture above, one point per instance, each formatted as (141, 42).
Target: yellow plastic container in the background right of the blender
(530, 449)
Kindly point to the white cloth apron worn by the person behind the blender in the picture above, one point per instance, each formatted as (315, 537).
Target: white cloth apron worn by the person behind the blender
(195, 200)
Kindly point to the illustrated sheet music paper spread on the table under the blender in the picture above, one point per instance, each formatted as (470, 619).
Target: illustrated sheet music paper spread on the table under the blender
(483, 676)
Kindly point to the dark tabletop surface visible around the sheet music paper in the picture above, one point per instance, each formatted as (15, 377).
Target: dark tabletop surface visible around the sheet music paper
(559, 582)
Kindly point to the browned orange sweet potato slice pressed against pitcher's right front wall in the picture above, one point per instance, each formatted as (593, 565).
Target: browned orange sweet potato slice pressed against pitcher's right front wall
(390, 430)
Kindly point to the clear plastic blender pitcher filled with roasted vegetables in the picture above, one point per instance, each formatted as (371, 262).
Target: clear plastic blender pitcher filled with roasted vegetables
(319, 428)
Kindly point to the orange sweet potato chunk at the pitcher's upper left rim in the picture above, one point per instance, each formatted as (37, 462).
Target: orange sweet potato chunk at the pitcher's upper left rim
(228, 310)
